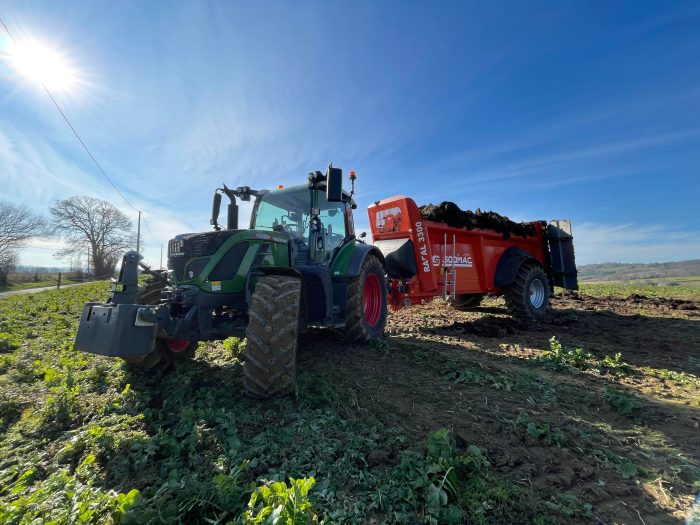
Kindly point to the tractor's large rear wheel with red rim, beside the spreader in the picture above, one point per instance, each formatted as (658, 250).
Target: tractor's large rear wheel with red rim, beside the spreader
(367, 302)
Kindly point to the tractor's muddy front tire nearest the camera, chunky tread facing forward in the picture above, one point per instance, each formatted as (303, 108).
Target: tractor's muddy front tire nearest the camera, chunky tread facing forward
(273, 325)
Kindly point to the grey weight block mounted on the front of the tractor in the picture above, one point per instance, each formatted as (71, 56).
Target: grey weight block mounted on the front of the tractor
(115, 328)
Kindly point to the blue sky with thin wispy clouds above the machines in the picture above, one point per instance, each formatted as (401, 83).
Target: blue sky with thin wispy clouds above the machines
(582, 110)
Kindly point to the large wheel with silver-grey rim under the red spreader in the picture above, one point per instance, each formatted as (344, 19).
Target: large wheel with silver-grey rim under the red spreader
(528, 296)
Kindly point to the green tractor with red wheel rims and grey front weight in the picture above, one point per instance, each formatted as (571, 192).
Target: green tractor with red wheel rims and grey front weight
(299, 265)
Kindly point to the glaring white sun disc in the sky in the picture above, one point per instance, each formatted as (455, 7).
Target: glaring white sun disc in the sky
(39, 63)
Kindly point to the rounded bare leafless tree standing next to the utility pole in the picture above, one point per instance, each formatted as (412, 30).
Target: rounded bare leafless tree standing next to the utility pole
(89, 223)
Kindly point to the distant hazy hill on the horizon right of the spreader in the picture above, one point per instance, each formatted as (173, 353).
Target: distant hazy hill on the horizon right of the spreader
(636, 272)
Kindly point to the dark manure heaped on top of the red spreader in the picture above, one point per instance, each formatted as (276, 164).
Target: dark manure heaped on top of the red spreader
(449, 213)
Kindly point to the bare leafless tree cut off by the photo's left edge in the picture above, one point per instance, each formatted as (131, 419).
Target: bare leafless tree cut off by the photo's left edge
(17, 226)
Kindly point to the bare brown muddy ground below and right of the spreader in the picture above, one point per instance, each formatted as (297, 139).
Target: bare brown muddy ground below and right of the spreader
(546, 425)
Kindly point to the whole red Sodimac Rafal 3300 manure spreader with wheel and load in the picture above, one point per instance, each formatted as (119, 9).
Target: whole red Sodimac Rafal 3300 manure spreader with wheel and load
(442, 251)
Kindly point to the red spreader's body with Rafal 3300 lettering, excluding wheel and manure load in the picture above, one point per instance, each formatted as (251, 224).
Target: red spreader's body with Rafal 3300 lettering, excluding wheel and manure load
(426, 259)
